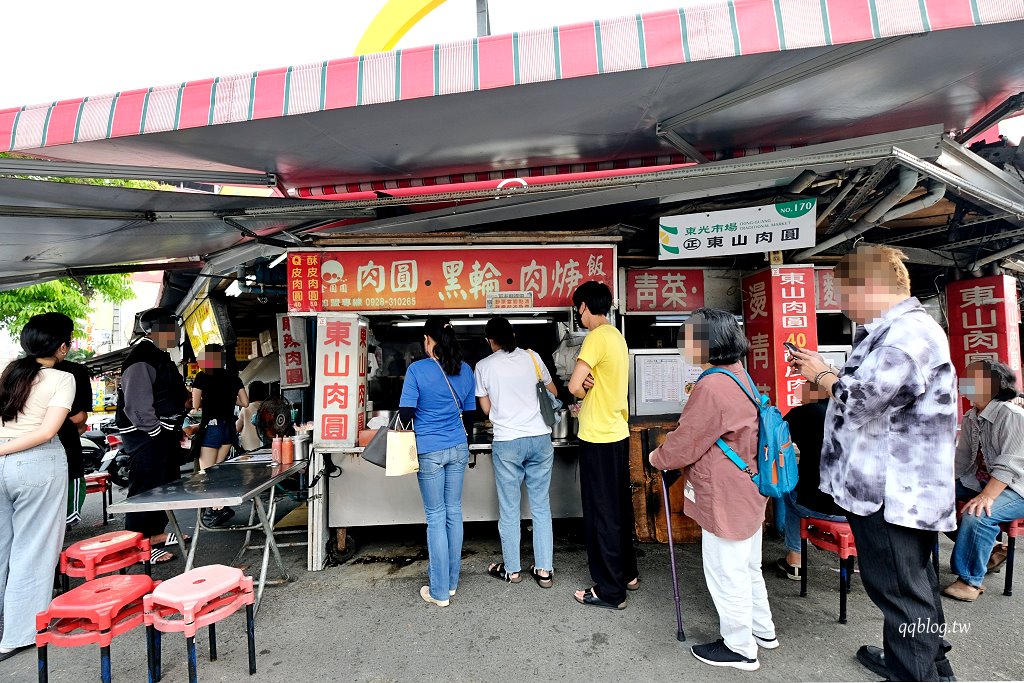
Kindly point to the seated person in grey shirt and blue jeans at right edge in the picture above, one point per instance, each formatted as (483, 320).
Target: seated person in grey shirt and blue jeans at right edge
(990, 471)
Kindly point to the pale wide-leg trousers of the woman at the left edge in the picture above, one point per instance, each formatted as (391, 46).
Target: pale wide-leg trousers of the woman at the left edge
(33, 509)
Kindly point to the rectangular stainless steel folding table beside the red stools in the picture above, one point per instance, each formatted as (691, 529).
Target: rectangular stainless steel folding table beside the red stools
(227, 485)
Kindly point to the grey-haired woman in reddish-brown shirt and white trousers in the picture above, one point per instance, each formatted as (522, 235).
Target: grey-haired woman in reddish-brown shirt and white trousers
(720, 497)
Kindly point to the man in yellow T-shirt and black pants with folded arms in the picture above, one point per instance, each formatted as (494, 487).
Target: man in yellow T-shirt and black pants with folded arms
(602, 379)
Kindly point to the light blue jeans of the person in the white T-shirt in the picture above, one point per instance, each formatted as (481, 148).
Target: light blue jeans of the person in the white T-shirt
(527, 459)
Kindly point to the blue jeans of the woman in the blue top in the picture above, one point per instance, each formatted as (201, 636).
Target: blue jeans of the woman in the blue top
(441, 479)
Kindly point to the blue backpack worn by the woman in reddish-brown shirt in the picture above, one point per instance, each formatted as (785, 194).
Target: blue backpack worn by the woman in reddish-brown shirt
(777, 459)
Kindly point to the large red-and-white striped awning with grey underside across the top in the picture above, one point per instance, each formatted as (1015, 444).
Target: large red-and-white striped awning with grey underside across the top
(578, 95)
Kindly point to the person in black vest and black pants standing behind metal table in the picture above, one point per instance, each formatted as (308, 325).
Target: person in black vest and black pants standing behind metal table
(151, 408)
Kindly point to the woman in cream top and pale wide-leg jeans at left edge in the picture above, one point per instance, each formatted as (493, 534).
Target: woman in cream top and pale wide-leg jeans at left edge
(35, 400)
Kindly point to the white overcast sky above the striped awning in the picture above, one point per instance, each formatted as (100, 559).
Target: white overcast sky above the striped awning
(64, 49)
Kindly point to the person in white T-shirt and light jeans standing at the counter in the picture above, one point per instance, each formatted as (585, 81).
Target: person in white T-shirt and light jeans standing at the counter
(506, 387)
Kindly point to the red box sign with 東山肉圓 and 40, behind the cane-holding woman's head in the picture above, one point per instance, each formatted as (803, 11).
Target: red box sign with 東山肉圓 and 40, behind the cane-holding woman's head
(779, 308)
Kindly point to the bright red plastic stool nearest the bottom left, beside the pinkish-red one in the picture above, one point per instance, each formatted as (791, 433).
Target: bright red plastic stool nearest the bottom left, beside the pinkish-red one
(98, 613)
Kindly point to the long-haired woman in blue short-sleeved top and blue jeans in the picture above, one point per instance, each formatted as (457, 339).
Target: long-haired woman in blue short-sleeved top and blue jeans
(438, 397)
